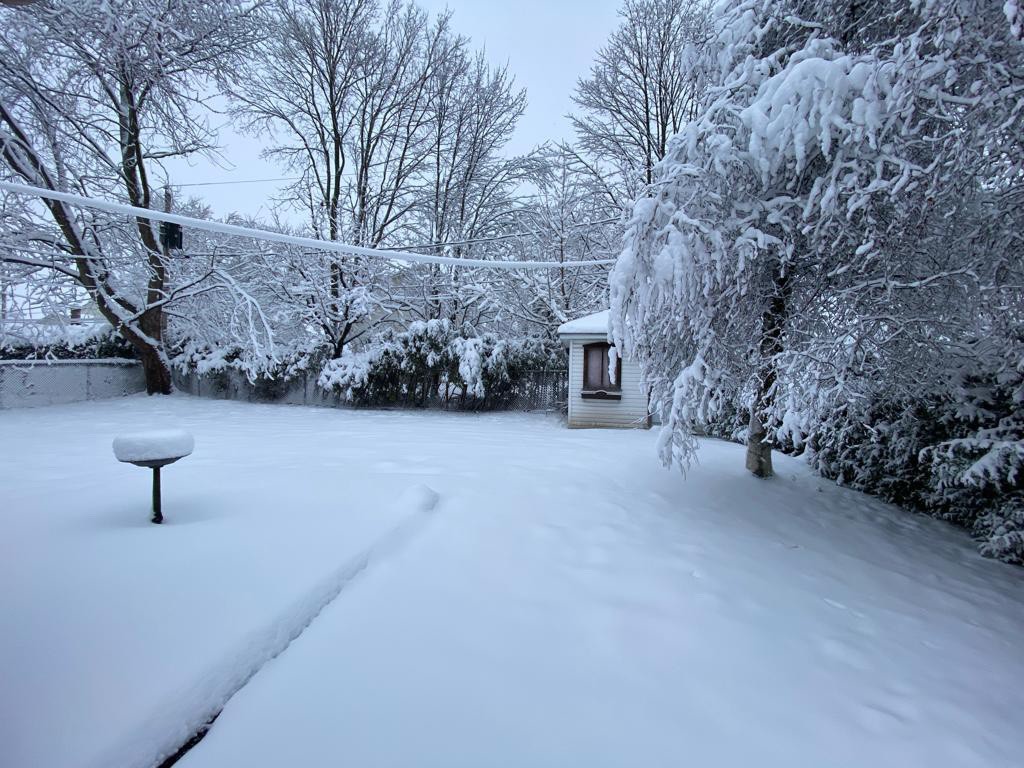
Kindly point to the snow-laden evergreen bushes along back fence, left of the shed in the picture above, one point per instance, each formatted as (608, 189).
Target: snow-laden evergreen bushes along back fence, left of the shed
(433, 363)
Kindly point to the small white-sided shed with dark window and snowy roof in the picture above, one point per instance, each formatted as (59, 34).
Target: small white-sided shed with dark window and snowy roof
(596, 400)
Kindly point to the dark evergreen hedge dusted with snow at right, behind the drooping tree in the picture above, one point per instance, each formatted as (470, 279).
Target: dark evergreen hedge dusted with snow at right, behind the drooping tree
(957, 454)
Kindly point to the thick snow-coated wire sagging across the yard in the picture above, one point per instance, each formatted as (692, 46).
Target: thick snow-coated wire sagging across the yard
(311, 243)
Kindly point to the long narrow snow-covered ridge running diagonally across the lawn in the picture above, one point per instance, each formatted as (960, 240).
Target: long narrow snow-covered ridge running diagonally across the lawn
(196, 707)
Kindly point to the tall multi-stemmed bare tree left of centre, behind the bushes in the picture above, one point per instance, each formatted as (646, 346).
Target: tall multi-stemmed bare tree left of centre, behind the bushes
(340, 90)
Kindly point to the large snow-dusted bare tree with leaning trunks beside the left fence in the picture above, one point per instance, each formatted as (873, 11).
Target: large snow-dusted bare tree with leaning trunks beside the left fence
(94, 97)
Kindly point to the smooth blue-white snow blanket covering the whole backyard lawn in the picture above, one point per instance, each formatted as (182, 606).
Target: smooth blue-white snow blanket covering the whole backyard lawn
(563, 601)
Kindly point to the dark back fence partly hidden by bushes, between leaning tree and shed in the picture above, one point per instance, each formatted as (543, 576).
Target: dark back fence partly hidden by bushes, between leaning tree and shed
(545, 392)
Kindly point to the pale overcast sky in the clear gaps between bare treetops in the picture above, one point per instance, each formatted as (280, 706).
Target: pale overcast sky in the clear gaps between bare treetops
(548, 45)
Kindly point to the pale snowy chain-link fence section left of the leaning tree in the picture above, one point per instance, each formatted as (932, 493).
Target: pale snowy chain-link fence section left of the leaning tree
(28, 383)
